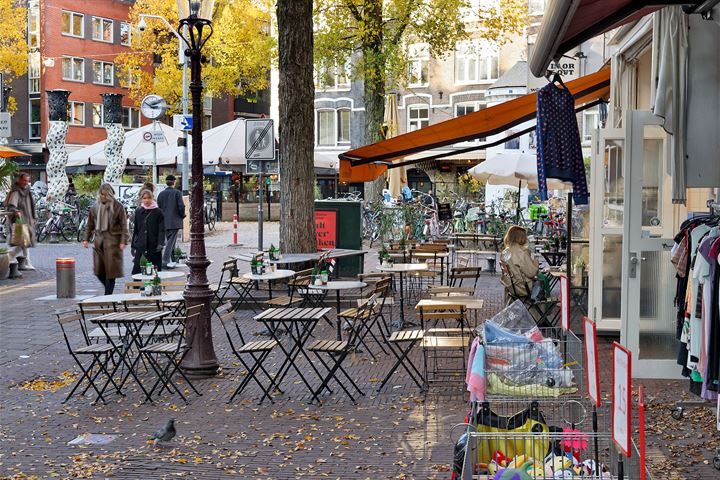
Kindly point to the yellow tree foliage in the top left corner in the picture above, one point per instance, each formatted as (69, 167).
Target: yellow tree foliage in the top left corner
(13, 43)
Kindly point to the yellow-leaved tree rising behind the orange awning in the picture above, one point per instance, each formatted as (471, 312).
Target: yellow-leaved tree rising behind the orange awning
(375, 34)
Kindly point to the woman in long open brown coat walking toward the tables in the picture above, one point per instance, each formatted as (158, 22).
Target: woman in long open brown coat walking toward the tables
(107, 224)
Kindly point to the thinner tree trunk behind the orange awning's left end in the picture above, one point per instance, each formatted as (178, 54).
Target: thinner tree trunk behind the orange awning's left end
(374, 85)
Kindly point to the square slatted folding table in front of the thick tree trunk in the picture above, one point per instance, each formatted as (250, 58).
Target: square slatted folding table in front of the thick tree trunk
(299, 323)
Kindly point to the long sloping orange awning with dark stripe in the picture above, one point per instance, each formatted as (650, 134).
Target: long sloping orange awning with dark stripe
(361, 164)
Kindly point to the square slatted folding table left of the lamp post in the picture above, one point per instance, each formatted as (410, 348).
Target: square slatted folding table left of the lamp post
(131, 339)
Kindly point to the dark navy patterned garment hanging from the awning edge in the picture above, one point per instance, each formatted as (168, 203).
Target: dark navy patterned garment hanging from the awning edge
(559, 153)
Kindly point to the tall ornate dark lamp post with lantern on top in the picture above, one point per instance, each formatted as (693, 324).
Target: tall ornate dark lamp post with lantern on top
(201, 360)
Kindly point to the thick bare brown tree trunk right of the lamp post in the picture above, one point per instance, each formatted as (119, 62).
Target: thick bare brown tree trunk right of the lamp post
(296, 126)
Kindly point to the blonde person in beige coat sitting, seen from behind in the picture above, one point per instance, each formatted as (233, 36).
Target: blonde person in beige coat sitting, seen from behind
(518, 262)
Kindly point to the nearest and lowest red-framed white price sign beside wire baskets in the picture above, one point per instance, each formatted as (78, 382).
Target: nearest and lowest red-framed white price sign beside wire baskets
(622, 401)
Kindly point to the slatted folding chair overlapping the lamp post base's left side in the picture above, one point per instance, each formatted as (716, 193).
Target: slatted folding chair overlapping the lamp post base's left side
(174, 352)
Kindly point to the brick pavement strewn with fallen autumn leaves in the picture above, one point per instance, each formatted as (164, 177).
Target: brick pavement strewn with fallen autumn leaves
(395, 434)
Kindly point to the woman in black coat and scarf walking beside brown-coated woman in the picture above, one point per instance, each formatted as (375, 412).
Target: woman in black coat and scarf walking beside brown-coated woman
(149, 232)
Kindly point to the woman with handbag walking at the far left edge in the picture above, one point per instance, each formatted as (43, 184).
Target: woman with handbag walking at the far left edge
(22, 219)
